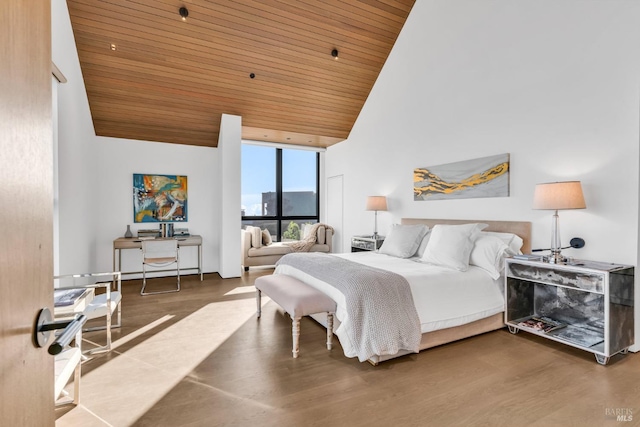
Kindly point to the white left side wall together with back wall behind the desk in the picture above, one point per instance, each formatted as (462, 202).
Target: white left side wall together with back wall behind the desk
(96, 176)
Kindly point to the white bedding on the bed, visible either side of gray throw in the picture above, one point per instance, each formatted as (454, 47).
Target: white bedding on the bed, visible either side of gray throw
(444, 298)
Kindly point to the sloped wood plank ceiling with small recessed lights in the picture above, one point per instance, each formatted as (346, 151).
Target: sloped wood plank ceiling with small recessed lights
(152, 76)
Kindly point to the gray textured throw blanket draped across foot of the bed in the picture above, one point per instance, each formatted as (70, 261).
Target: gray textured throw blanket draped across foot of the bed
(381, 316)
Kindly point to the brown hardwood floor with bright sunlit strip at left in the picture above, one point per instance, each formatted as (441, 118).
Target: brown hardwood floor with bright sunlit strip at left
(201, 358)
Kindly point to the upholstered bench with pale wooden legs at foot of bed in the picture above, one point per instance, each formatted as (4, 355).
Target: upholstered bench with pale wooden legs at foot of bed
(298, 299)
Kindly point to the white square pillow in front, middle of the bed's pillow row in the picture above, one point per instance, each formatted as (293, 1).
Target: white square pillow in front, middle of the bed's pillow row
(451, 245)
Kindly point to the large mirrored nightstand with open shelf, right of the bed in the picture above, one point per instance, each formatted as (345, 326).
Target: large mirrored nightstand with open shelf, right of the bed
(591, 301)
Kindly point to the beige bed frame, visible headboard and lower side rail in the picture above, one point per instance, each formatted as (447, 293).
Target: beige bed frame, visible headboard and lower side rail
(488, 324)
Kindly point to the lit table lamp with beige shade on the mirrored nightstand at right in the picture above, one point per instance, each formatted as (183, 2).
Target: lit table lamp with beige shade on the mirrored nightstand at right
(556, 196)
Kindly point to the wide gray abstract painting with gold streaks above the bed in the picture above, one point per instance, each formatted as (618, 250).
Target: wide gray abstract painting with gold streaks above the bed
(483, 177)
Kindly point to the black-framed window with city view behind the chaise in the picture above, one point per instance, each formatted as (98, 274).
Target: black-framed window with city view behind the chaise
(279, 190)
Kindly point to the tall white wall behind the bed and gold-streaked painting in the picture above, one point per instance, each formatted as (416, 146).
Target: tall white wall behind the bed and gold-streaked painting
(556, 84)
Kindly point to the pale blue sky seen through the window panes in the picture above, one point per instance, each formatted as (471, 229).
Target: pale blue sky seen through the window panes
(259, 174)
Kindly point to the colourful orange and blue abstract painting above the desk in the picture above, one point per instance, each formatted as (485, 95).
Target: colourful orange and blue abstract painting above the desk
(159, 198)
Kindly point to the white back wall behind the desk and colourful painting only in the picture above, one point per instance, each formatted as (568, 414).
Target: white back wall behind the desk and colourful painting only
(119, 160)
